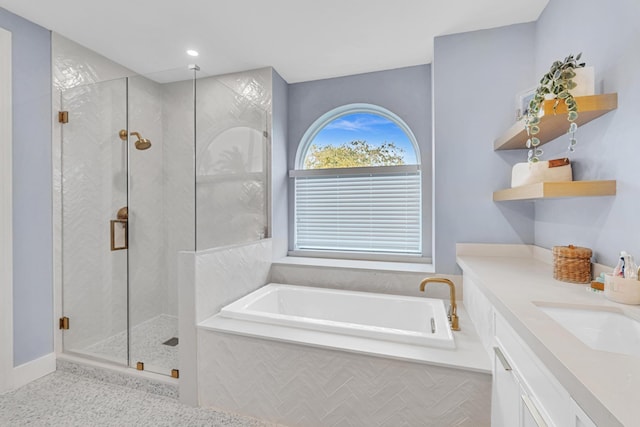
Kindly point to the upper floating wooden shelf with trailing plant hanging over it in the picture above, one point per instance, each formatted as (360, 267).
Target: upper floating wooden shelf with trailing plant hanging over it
(552, 125)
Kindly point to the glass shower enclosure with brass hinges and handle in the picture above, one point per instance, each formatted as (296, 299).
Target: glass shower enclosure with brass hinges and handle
(151, 166)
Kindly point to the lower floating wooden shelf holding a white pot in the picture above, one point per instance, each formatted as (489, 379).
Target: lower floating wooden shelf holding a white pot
(545, 190)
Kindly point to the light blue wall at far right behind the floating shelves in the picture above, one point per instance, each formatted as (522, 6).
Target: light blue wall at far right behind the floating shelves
(608, 34)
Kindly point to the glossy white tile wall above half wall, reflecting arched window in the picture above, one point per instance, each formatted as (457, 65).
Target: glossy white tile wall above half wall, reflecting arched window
(233, 114)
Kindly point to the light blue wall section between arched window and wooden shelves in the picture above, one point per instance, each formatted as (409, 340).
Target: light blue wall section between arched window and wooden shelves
(475, 78)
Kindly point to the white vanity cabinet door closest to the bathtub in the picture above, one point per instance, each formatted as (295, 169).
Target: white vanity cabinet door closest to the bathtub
(505, 399)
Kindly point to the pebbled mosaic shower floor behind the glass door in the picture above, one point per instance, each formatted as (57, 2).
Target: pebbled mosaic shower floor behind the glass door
(147, 346)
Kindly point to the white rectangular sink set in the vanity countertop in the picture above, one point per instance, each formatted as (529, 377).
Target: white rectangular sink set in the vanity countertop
(599, 329)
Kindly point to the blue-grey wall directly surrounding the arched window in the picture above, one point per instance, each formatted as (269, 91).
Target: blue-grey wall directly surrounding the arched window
(404, 91)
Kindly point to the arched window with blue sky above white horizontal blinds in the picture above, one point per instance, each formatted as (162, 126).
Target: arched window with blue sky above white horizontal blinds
(357, 184)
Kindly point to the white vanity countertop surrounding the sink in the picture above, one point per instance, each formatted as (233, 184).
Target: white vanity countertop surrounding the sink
(606, 385)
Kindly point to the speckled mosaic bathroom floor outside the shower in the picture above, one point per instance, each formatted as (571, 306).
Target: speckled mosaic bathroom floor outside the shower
(65, 399)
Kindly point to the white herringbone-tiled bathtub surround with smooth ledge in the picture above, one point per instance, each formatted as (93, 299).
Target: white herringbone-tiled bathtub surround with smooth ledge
(313, 378)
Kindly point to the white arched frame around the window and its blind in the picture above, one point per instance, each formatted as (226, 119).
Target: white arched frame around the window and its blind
(300, 172)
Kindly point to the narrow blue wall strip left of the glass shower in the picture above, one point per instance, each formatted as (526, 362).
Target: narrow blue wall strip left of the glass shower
(32, 211)
